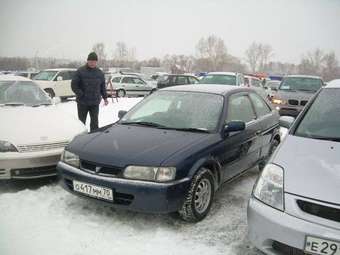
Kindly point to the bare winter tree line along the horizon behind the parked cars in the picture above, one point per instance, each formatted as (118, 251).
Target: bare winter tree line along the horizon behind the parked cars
(211, 54)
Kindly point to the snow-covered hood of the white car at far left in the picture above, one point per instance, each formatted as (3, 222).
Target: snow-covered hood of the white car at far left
(24, 125)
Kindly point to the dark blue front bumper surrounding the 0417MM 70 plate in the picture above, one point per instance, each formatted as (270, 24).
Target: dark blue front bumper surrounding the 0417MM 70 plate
(134, 195)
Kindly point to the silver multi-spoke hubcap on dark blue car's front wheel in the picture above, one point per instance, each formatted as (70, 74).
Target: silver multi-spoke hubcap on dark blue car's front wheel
(203, 195)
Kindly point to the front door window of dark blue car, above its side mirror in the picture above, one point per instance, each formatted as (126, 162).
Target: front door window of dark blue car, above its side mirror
(240, 108)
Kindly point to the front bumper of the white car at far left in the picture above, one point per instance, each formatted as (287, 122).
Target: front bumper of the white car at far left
(28, 165)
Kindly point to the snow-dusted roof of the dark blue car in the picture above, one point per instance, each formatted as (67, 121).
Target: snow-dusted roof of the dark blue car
(208, 88)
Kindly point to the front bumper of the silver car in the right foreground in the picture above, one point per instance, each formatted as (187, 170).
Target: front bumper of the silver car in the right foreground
(269, 229)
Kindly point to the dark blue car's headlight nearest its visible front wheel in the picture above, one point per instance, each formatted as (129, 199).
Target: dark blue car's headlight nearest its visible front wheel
(159, 174)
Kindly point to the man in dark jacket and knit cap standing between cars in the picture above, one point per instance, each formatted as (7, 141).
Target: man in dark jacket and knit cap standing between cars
(88, 84)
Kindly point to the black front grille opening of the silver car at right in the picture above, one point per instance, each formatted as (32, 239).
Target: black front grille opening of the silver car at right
(326, 212)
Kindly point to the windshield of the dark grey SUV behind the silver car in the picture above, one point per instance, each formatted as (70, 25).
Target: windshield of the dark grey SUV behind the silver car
(301, 83)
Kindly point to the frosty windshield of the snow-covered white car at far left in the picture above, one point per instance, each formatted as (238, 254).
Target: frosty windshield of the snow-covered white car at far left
(22, 93)
